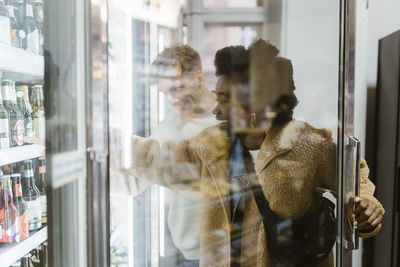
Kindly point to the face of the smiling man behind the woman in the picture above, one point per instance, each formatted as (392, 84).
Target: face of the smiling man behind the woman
(182, 93)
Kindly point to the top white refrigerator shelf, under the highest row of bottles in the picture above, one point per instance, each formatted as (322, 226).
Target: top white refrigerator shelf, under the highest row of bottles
(15, 61)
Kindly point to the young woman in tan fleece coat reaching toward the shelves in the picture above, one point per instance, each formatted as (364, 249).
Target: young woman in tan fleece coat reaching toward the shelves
(287, 158)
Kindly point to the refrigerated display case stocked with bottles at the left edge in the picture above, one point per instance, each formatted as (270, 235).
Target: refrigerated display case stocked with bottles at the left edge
(22, 68)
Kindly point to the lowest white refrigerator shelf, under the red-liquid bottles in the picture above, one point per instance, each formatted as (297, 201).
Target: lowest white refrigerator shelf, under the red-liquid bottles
(13, 252)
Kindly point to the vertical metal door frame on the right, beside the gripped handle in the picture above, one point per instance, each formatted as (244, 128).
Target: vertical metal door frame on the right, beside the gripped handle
(344, 250)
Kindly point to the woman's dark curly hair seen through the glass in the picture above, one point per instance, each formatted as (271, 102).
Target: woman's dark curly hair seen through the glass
(260, 65)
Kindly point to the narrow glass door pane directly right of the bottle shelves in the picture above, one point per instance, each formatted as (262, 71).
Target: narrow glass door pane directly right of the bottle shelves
(65, 92)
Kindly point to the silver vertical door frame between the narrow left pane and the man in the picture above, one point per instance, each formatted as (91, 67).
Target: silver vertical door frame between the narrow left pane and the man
(97, 127)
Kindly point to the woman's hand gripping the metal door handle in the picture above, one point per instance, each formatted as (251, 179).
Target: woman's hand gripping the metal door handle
(368, 215)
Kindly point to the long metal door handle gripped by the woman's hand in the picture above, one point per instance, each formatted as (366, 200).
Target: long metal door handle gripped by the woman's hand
(355, 143)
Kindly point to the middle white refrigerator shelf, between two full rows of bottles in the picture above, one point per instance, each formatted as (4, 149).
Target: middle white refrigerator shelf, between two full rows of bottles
(16, 154)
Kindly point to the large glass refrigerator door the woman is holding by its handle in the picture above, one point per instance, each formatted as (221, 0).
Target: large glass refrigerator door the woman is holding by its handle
(173, 197)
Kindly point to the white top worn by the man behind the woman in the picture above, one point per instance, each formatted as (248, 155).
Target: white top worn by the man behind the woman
(184, 206)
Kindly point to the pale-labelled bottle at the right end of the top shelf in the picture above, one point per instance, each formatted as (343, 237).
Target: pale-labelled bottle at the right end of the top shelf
(31, 29)
